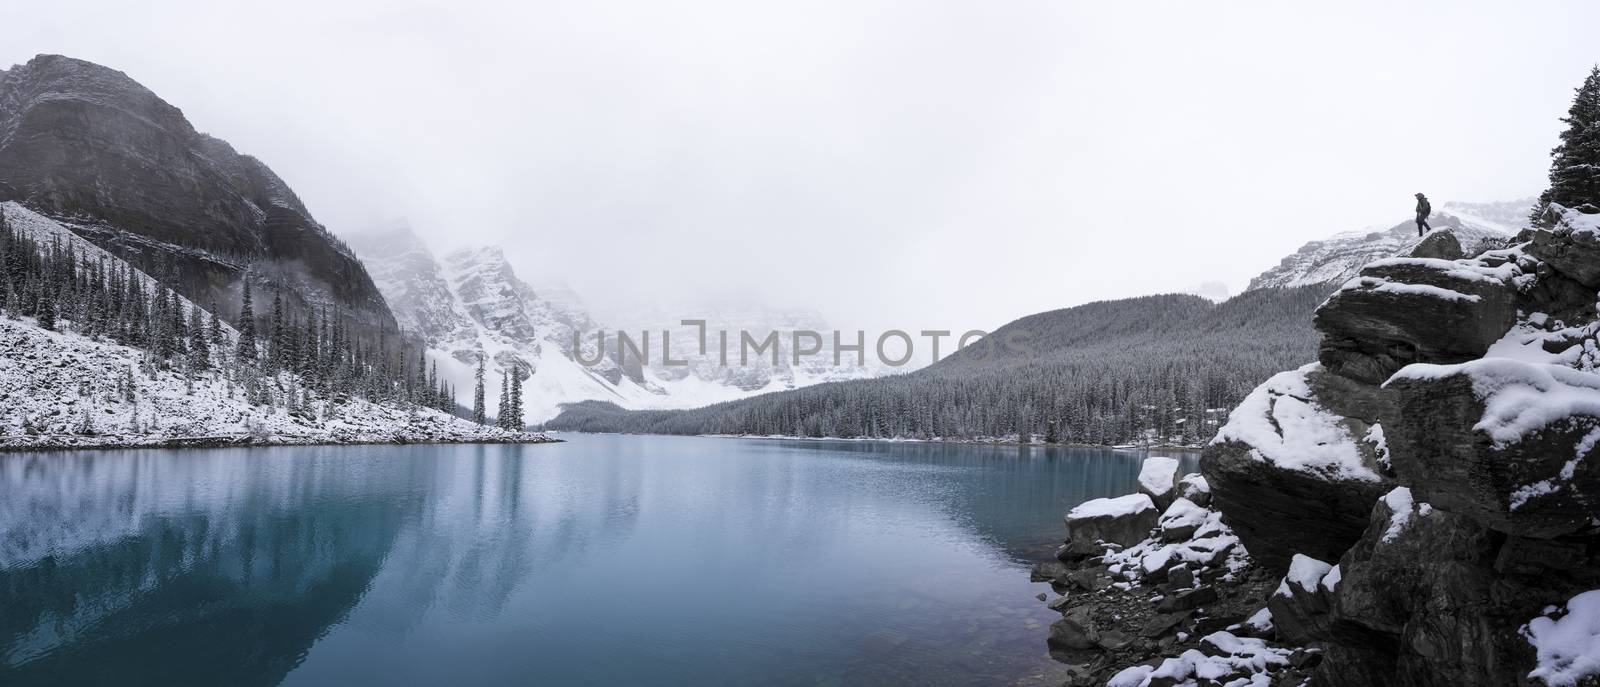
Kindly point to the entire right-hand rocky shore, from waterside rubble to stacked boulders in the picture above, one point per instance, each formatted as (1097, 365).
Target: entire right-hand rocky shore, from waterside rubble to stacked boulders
(1417, 508)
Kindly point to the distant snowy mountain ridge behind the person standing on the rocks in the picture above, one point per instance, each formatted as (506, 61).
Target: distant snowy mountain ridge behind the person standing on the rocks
(1340, 257)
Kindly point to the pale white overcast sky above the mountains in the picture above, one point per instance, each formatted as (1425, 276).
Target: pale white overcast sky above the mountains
(892, 164)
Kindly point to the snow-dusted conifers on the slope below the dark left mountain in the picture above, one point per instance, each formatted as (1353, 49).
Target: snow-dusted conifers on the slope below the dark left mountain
(282, 358)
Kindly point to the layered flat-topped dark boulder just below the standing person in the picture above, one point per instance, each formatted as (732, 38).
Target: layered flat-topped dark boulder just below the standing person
(1415, 310)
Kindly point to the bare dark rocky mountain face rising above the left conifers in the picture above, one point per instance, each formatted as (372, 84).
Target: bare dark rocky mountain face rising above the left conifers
(124, 169)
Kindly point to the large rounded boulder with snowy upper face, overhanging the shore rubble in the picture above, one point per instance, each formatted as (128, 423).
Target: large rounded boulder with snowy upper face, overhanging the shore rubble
(1292, 475)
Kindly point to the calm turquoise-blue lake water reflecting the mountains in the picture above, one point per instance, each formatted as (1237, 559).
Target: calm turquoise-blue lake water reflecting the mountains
(601, 561)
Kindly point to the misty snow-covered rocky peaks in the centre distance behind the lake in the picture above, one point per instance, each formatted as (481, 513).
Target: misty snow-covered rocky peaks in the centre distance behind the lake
(473, 303)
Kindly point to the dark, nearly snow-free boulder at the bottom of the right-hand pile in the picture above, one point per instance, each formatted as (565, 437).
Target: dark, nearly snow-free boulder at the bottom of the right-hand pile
(1422, 605)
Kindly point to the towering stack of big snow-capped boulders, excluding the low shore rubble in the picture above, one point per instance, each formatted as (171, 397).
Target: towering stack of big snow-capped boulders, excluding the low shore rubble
(1438, 465)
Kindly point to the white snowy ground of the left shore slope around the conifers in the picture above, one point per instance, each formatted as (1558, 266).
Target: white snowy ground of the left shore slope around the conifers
(60, 388)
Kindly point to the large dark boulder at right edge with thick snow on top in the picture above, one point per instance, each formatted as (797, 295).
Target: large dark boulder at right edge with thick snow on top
(1502, 441)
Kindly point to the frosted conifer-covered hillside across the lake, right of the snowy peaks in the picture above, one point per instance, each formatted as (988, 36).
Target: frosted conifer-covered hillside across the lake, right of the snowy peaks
(1145, 371)
